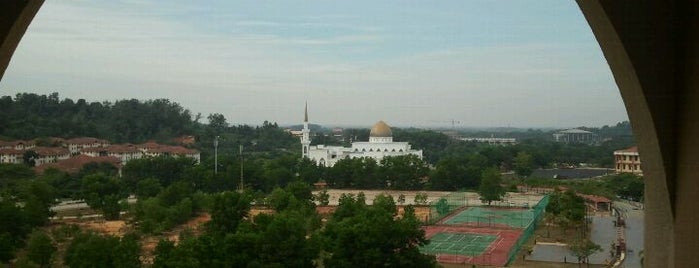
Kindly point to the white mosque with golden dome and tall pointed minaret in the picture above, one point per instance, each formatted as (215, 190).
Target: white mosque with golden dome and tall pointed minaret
(380, 145)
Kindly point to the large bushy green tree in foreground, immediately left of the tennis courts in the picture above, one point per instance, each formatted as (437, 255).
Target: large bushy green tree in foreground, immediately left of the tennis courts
(372, 236)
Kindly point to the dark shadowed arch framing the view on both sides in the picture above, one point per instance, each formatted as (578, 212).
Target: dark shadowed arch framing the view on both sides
(652, 53)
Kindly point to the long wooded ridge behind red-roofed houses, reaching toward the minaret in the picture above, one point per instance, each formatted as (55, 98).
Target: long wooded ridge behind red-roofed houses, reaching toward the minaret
(30, 116)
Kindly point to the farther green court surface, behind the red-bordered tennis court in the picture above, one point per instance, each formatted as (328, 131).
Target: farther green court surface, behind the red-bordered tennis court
(492, 217)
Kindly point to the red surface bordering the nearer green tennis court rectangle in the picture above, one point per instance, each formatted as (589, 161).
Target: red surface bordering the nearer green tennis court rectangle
(495, 254)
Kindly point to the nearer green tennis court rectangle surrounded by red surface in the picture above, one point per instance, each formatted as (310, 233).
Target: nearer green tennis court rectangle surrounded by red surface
(458, 244)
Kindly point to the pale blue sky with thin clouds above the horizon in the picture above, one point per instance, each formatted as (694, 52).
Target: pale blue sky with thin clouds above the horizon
(410, 63)
